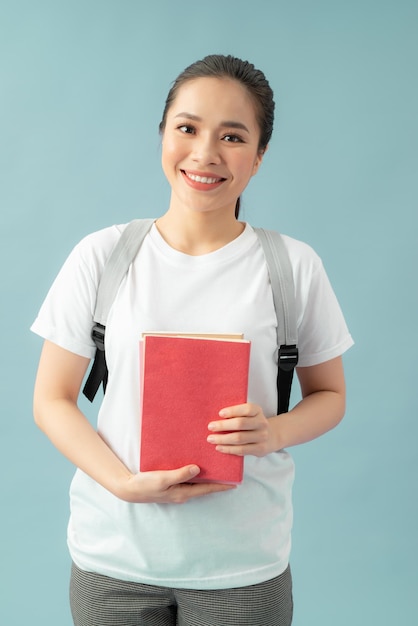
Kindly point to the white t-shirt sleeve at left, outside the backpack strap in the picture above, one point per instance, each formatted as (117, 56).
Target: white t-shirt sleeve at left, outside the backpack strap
(66, 315)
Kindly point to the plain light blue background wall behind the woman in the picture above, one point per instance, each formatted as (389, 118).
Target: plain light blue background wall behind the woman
(82, 90)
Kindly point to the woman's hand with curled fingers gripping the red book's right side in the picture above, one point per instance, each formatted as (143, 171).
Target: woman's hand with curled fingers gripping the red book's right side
(243, 429)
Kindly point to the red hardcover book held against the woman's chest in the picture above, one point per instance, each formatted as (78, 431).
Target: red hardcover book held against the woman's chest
(186, 381)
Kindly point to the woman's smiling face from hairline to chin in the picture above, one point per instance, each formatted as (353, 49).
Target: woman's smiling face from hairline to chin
(210, 144)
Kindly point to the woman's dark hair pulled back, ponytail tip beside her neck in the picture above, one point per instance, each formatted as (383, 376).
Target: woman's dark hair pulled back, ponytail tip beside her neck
(220, 66)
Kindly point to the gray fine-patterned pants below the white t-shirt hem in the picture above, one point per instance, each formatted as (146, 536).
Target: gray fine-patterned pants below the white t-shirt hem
(98, 600)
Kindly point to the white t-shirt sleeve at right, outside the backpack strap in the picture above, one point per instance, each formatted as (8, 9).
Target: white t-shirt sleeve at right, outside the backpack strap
(322, 330)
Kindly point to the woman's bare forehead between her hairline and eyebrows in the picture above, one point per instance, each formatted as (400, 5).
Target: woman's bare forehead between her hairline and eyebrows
(222, 98)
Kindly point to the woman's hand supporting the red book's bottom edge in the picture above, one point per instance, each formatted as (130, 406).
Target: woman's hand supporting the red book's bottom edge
(167, 486)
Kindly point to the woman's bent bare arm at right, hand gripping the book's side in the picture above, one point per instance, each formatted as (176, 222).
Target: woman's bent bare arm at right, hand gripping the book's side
(322, 408)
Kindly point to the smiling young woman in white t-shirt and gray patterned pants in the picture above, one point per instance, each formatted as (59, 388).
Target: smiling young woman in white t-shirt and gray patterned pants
(151, 548)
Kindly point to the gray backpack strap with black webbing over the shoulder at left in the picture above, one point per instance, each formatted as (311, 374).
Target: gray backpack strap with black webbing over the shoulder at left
(114, 270)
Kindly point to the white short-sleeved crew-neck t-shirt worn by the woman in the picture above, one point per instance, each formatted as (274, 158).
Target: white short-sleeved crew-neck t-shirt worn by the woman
(240, 537)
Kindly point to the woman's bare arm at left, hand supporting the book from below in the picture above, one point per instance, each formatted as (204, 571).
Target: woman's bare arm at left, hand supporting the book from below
(57, 387)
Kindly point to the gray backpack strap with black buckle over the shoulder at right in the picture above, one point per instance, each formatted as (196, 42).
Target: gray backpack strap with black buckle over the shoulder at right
(282, 284)
